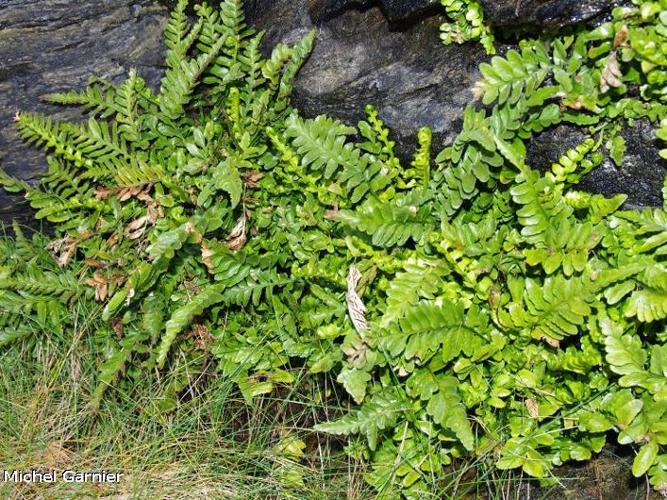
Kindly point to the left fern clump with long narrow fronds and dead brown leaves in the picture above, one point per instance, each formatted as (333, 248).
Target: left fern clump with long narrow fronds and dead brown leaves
(154, 193)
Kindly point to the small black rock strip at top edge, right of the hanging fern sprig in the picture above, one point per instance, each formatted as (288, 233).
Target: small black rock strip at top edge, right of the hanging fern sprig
(550, 14)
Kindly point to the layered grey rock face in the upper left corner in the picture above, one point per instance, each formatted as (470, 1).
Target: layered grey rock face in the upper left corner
(55, 45)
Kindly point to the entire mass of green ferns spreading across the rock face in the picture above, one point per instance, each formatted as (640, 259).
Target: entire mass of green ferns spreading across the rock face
(506, 315)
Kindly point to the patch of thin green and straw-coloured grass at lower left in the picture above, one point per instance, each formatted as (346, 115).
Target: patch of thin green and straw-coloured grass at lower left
(210, 446)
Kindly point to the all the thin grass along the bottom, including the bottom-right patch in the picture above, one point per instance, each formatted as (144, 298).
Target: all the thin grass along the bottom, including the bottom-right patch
(213, 445)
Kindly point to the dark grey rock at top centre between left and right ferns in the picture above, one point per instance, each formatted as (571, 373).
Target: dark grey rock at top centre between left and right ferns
(361, 58)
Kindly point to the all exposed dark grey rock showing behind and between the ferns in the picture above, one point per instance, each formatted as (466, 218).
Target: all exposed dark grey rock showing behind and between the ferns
(383, 52)
